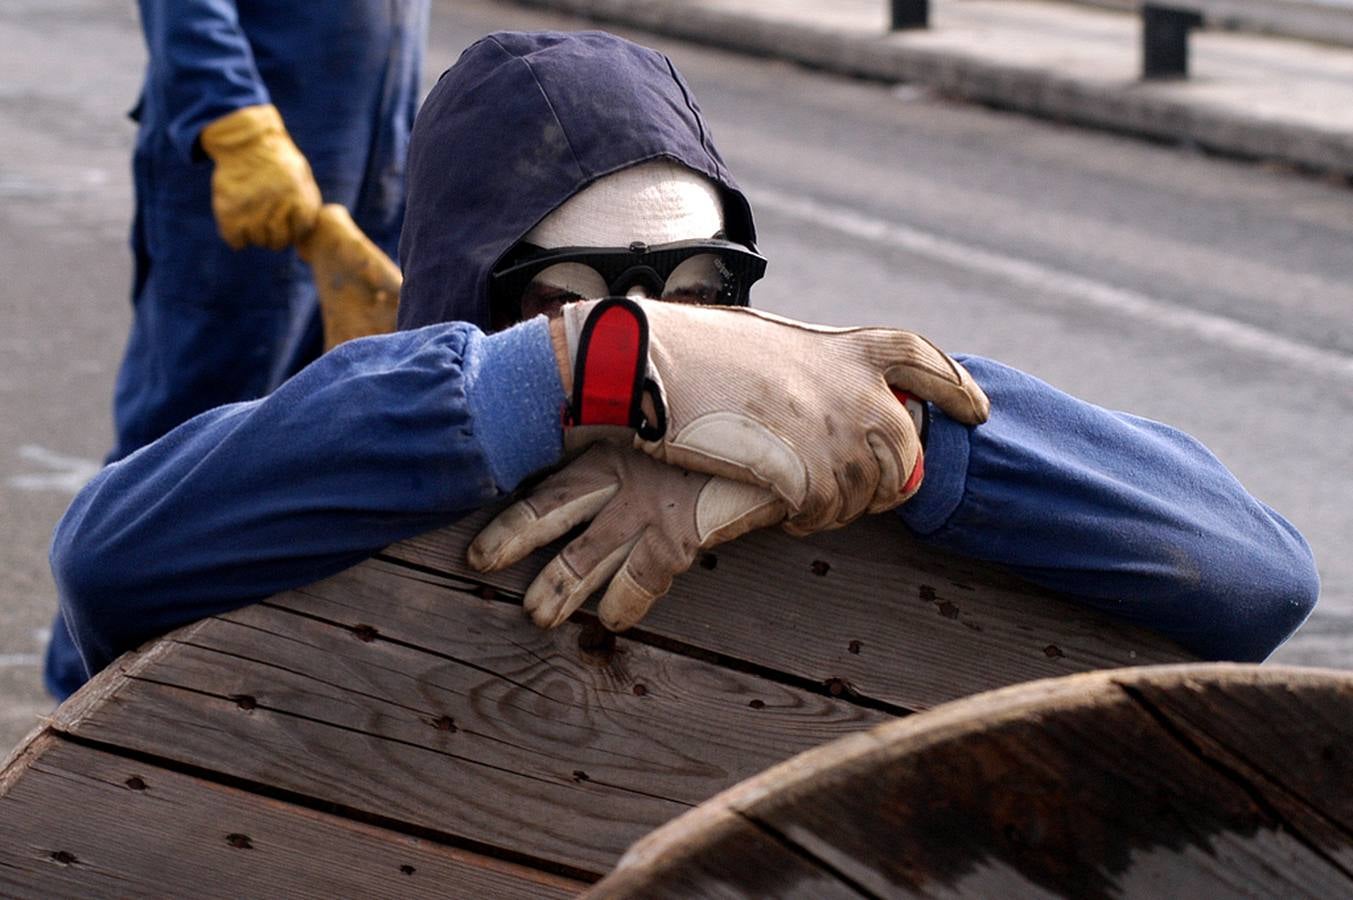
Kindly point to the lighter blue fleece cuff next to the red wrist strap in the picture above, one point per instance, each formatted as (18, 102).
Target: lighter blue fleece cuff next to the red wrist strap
(516, 396)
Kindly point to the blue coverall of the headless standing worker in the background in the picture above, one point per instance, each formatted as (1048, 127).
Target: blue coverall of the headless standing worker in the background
(213, 325)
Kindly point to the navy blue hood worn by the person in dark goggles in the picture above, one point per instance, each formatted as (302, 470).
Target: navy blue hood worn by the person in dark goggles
(518, 127)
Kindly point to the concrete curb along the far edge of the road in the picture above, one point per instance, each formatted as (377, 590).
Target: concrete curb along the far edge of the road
(1133, 108)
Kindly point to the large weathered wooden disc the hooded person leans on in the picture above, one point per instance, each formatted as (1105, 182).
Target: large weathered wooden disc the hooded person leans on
(409, 698)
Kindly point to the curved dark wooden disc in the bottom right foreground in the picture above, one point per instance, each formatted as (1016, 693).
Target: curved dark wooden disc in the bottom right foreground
(1176, 782)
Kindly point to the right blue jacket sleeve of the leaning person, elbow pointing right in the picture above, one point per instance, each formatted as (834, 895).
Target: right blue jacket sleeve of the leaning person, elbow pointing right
(1134, 518)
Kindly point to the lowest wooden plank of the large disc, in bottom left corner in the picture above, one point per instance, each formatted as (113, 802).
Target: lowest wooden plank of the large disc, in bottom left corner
(81, 822)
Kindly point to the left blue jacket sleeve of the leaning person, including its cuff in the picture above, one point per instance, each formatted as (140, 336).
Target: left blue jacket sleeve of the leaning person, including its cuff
(378, 441)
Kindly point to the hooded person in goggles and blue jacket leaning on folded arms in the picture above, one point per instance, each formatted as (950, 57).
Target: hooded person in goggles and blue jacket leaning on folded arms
(551, 170)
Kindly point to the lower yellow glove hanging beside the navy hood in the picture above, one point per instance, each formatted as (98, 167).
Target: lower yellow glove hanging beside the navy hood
(358, 284)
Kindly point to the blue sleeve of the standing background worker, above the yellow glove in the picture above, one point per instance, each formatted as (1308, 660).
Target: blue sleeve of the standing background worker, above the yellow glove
(202, 63)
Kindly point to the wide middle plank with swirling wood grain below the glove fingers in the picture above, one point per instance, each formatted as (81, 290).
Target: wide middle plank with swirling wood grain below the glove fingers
(411, 700)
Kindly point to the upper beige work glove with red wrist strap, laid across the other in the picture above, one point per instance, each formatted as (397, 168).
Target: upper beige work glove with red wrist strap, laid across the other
(806, 411)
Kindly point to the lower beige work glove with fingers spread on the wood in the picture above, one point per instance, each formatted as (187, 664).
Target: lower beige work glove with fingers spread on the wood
(649, 522)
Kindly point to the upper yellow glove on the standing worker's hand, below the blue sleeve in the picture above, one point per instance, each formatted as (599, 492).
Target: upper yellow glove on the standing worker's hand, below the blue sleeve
(262, 190)
